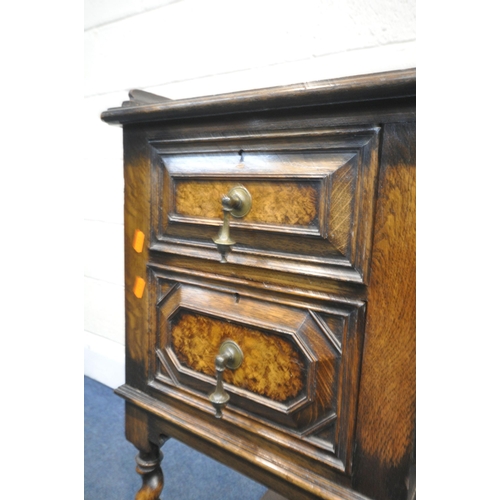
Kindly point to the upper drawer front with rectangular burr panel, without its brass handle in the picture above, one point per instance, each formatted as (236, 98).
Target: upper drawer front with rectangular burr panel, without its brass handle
(312, 200)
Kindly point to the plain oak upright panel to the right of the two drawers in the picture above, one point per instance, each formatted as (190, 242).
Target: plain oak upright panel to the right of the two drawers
(386, 409)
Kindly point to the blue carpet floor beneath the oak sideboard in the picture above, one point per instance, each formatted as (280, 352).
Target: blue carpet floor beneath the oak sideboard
(110, 460)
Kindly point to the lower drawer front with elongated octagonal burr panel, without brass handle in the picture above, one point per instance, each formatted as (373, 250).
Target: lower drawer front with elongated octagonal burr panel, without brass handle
(300, 369)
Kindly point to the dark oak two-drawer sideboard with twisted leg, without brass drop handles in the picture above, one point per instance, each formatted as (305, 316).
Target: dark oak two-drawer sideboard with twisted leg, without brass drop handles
(318, 290)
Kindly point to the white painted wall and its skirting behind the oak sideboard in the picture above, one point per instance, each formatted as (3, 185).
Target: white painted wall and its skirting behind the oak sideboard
(187, 48)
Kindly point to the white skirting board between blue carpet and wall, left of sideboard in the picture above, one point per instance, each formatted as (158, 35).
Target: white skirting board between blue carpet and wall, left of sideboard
(104, 360)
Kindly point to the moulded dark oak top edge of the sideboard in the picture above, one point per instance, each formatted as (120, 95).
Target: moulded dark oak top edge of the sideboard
(146, 107)
